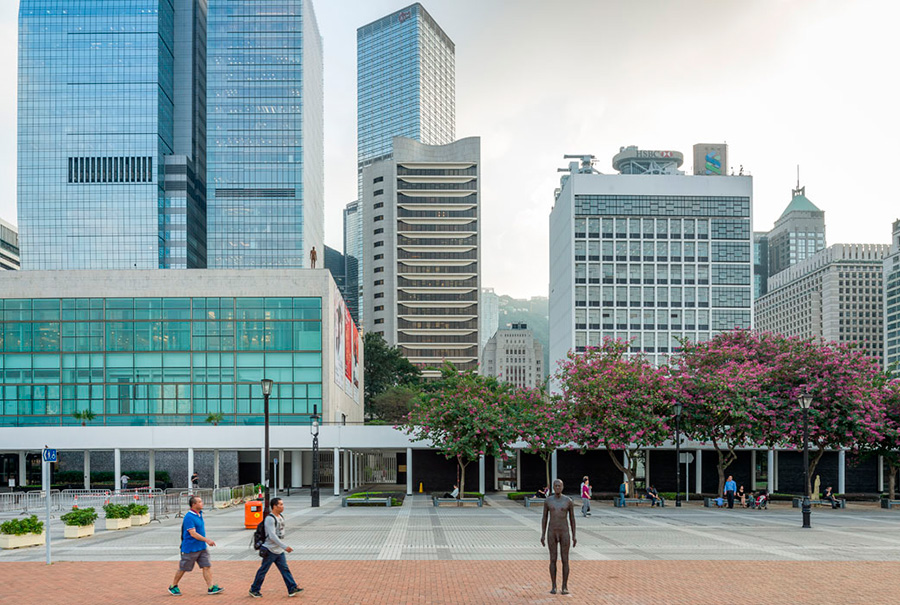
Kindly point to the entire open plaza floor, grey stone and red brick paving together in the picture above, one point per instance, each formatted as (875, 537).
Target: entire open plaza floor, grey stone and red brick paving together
(420, 554)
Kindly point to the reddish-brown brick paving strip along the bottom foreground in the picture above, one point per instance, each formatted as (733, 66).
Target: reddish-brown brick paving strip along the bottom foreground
(479, 582)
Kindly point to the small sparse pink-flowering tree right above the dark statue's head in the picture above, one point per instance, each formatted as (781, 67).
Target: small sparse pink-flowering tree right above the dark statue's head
(542, 422)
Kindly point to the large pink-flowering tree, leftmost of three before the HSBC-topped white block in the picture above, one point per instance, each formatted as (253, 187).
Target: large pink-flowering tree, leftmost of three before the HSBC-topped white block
(616, 401)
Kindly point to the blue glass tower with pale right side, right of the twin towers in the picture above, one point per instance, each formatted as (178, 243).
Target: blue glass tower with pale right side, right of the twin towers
(265, 137)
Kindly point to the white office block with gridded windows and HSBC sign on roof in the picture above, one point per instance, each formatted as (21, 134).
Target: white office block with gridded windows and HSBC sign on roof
(648, 257)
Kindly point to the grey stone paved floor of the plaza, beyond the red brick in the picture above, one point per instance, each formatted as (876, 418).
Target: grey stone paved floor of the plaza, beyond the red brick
(506, 530)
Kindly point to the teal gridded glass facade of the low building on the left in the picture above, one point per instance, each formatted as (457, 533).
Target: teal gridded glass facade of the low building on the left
(159, 361)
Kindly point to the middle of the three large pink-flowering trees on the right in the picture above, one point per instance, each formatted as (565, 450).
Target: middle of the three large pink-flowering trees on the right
(720, 384)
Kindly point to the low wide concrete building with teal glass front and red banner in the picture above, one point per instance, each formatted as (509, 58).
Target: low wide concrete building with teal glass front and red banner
(151, 351)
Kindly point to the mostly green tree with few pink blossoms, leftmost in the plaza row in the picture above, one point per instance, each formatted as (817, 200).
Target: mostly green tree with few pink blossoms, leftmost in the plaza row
(464, 416)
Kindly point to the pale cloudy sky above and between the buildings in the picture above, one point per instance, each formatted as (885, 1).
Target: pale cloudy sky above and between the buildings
(784, 82)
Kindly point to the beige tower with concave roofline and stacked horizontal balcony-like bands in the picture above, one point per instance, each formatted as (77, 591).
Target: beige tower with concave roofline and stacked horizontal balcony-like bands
(422, 251)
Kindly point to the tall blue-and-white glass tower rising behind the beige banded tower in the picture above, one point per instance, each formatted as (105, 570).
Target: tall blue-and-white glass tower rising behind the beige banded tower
(406, 86)
